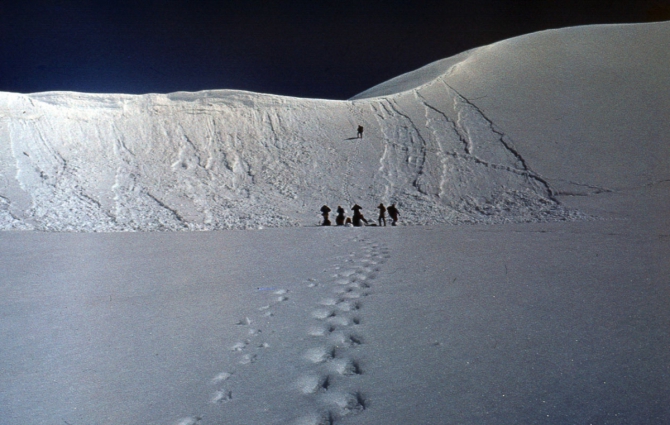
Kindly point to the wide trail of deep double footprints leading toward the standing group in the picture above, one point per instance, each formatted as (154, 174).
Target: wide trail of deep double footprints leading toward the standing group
(332, 376)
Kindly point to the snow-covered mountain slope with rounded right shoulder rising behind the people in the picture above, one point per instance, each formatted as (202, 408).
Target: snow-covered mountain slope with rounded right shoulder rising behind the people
(491, 135)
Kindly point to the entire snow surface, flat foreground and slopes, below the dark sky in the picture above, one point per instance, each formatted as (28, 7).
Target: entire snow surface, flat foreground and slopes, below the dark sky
(550, 307)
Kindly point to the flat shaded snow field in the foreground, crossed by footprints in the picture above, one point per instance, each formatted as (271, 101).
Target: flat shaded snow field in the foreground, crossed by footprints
(435, 324)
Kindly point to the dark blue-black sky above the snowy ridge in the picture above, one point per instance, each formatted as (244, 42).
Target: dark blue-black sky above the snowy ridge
(326, 49)
